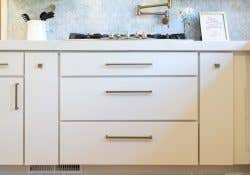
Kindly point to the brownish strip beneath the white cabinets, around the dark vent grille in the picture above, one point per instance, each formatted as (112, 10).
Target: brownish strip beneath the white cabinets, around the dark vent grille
(132, 170)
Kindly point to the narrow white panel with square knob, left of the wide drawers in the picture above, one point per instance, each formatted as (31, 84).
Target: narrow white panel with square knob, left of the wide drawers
(41, 108)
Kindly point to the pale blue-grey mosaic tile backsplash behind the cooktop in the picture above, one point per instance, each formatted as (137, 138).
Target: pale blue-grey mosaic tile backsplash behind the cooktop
(118, 16)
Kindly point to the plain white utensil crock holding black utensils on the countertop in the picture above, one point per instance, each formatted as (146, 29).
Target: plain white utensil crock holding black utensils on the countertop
(36, 30)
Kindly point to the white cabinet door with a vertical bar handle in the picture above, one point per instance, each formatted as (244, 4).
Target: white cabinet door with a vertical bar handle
(11, 121)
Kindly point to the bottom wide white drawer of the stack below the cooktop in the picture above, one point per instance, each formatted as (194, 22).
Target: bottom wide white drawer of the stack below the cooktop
(129, 143)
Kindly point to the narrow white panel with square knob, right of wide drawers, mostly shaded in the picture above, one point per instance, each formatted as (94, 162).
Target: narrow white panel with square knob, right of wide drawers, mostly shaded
(216, 108)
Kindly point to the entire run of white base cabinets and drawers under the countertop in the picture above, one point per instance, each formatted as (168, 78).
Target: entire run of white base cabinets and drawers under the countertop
(124, 94)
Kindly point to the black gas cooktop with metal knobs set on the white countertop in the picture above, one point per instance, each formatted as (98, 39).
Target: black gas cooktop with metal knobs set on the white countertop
(117, 36)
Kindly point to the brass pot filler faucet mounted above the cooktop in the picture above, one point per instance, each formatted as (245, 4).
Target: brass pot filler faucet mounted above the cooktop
(165, 19)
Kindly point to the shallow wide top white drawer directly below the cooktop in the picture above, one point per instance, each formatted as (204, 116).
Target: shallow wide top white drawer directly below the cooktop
(143, 63)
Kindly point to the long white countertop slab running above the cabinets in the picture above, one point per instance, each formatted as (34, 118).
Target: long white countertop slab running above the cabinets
(124, 45)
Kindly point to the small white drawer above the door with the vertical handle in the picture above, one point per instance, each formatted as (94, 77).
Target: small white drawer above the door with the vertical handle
(11, 63)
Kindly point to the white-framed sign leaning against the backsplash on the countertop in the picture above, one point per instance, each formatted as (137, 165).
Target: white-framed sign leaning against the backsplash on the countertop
(214, 26)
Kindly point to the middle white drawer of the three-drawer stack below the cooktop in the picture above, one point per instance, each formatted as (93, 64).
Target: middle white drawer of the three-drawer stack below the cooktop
(129, 98)
